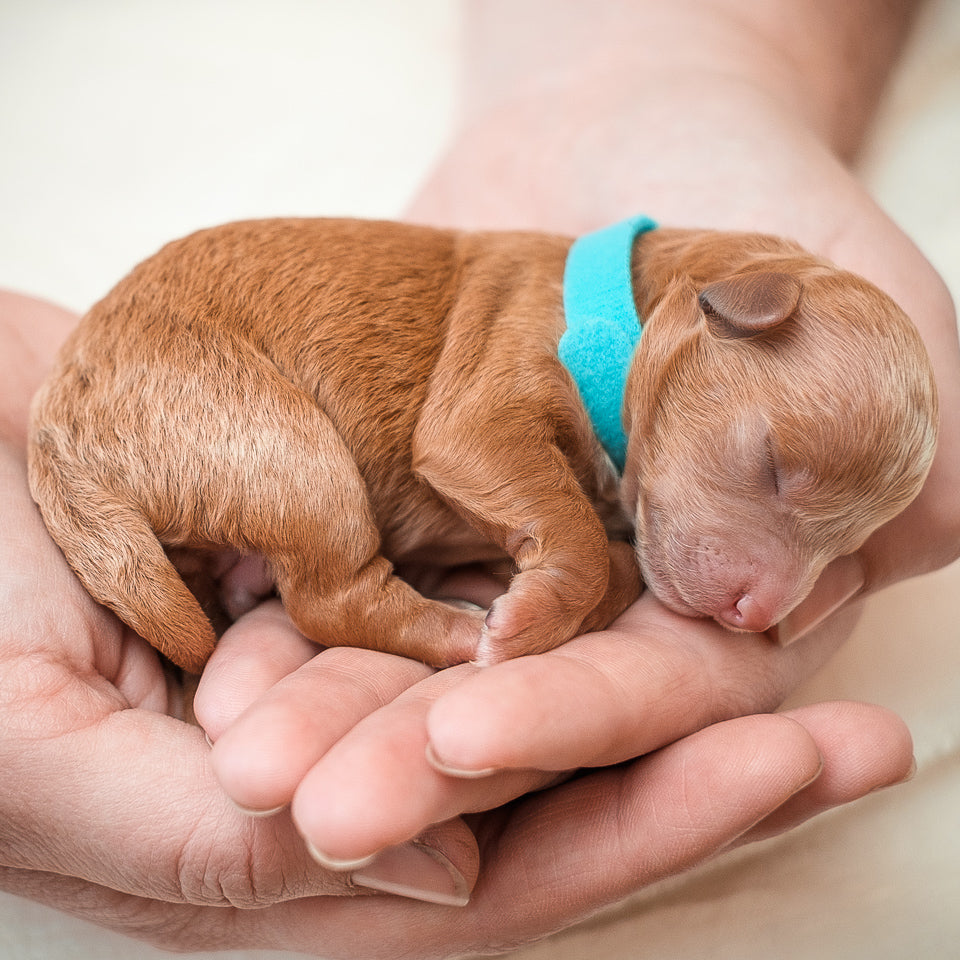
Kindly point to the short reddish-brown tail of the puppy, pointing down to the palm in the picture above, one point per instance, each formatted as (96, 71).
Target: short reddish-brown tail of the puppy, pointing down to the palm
(118, 558)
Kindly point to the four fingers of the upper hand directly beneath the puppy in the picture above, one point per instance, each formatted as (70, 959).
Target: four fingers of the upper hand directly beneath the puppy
(368, 754)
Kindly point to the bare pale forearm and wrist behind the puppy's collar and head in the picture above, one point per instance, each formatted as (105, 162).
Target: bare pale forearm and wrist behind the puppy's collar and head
(700, 114)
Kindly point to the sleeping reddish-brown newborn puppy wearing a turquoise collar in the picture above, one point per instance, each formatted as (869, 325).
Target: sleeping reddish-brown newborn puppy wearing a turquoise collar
(315, 403)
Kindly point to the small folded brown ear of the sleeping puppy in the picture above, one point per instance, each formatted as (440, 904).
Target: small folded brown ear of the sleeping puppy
(747, 305)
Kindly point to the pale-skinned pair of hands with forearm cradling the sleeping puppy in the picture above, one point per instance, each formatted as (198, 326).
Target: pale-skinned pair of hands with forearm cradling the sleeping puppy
(116, 811)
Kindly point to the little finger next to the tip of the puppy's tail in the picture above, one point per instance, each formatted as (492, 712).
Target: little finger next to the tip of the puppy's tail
(256, 652)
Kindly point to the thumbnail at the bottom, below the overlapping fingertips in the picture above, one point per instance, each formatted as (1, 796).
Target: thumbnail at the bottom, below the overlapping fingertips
(416, 871)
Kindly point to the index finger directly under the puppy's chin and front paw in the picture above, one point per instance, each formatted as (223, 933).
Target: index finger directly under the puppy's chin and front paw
(606, 697)
